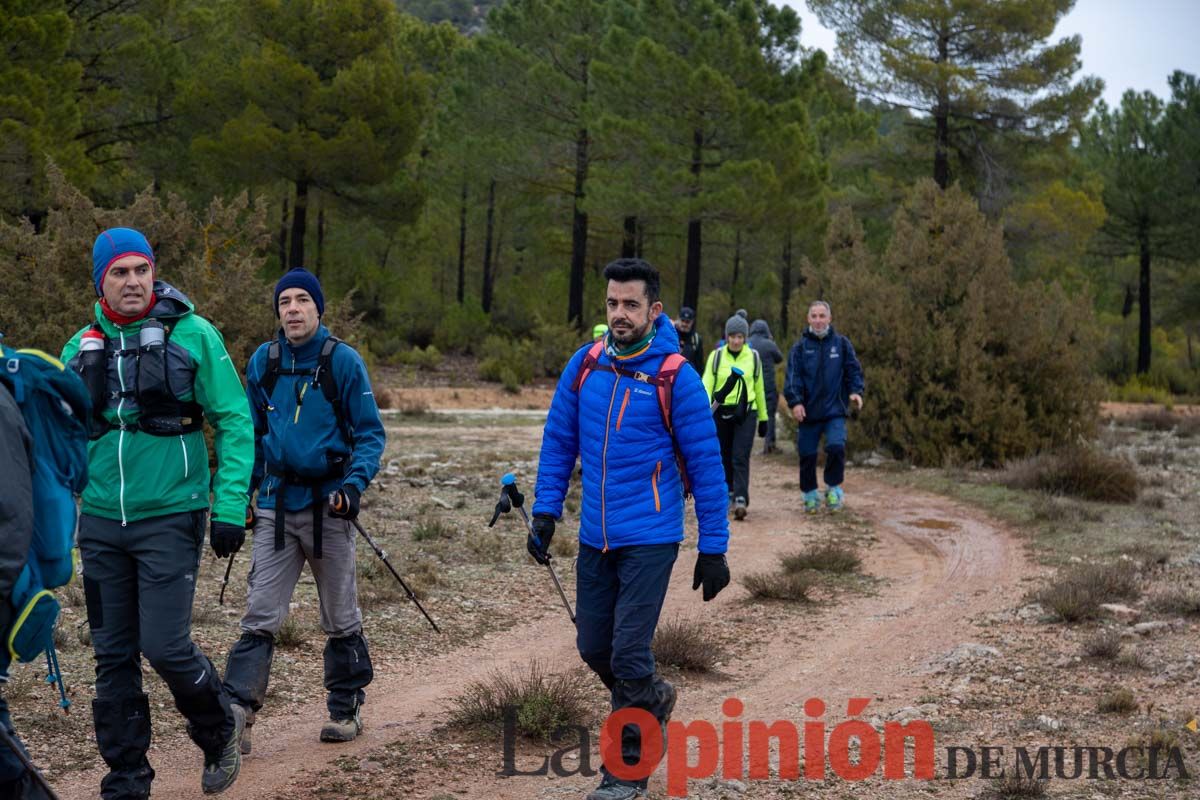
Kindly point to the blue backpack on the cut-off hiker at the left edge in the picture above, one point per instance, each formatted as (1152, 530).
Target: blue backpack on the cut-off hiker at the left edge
(57, 411)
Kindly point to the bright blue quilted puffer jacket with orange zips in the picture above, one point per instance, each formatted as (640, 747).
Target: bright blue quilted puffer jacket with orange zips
(633, 494)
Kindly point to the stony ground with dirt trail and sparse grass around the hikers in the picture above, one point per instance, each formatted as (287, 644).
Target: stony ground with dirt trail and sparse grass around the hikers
(943, 627)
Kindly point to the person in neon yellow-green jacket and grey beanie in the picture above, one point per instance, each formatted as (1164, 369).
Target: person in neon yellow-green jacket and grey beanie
(734, 381)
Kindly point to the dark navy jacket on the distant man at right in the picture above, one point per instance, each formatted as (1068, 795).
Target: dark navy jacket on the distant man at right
(823, 375)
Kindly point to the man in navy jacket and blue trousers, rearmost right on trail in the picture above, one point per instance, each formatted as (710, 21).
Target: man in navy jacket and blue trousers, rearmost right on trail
(824, 380)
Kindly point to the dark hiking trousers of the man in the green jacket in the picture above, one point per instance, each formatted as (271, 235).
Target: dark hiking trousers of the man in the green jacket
(140, 581)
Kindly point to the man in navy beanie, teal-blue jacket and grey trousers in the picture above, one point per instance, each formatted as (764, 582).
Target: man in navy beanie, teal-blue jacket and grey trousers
(319, 440)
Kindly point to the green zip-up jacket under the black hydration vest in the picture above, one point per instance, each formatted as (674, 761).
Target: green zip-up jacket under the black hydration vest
(135, 476)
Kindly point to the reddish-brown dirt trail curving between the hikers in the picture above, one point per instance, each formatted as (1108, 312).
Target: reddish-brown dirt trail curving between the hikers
(941, 566)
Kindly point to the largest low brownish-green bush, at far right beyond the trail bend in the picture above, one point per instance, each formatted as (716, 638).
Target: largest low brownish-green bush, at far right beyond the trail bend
(1078, 472)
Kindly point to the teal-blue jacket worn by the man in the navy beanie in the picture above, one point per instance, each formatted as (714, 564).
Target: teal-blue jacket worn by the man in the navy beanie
(303, 434)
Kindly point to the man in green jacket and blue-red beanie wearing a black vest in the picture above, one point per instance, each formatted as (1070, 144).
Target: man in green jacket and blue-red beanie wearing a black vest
(157, 371)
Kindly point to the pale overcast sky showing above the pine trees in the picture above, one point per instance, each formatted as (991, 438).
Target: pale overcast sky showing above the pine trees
(1130, 44)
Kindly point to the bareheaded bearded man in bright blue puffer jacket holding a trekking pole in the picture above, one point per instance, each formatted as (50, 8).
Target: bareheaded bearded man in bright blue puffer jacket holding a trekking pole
(633, 516)
